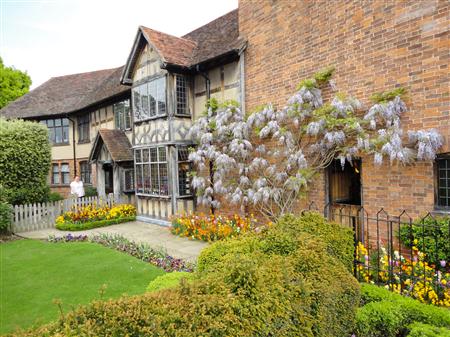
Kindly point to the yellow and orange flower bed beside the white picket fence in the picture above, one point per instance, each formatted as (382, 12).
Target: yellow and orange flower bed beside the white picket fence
(92, 217)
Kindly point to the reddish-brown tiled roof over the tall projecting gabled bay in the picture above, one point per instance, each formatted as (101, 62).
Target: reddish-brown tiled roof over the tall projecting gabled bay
(217, 38)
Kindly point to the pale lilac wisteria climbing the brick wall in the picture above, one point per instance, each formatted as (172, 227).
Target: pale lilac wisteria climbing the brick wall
(266, 159)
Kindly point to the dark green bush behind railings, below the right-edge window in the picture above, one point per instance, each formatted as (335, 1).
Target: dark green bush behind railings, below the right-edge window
(431, 234)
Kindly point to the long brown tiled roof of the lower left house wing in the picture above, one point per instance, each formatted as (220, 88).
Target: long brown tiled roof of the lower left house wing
(65, 94)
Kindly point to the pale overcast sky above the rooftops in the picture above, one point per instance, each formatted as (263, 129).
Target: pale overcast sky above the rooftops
(60, 37)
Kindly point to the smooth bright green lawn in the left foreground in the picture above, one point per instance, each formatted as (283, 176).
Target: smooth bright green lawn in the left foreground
(34, 273)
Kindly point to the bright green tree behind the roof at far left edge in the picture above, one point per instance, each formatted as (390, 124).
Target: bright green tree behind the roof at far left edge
(13, 84)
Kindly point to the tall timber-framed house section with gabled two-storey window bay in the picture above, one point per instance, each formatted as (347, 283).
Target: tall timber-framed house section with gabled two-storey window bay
(172, 78)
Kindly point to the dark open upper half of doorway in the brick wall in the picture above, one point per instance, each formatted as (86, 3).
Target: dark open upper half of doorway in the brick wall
(344, 183)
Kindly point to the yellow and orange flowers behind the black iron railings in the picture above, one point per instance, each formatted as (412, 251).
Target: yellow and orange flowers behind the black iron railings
(414, 278)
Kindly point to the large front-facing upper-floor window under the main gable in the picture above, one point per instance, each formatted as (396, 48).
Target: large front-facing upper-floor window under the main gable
(137, 102)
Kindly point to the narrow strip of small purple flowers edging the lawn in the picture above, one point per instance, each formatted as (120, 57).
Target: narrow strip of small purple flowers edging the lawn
(144, 252)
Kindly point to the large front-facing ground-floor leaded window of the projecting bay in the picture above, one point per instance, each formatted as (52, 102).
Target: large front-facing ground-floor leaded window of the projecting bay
(152, 171)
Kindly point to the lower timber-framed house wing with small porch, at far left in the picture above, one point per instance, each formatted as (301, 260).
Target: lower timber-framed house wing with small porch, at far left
(82, 112)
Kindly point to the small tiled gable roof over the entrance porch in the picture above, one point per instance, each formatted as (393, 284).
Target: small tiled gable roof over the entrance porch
(117, 144)
